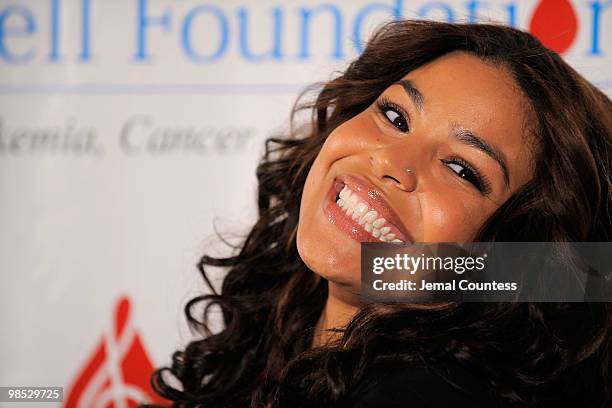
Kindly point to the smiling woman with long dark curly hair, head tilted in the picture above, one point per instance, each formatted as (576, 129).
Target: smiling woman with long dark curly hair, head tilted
(436, 133)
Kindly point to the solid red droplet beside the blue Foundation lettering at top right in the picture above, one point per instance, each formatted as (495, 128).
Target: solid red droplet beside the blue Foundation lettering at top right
(555, 24)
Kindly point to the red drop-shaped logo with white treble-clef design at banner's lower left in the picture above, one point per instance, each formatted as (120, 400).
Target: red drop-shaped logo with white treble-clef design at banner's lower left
(118, 372)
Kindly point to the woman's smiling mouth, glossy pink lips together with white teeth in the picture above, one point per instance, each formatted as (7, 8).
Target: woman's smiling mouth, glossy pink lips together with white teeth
(369, 218)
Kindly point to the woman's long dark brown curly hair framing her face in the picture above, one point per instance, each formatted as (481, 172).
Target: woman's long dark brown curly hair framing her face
(527, 354)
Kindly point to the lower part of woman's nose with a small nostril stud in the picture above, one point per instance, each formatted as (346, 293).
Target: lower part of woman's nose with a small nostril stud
(397, 172)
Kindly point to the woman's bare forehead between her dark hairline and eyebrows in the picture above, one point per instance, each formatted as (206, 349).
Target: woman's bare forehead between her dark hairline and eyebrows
(461, 90)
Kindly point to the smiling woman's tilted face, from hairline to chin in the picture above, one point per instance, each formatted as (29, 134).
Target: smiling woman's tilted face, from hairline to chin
(429, 161)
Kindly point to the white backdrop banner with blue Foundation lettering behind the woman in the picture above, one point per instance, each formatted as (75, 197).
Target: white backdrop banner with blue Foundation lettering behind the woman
(129, 133)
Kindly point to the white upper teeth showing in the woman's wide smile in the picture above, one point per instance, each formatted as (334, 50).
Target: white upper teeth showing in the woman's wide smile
(359, 211)
